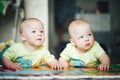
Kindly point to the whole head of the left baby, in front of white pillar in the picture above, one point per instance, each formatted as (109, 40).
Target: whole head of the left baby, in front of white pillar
(32, 32)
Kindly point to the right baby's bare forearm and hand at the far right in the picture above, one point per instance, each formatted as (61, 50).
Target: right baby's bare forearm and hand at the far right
(105, 62)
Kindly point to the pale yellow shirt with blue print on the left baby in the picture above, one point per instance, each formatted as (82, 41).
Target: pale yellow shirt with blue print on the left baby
(17, 53)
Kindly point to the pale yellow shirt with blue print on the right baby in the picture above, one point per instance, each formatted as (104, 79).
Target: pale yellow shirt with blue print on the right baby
(88, 59)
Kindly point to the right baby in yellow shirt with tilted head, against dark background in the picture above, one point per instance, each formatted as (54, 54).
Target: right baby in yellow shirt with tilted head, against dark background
(83, 50)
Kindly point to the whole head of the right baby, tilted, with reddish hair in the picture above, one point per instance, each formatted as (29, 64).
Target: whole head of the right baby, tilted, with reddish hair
(81, 35)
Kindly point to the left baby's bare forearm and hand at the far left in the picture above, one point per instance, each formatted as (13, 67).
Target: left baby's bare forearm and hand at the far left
(10, 65)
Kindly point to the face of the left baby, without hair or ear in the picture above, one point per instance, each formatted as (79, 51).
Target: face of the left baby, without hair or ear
(34, 34)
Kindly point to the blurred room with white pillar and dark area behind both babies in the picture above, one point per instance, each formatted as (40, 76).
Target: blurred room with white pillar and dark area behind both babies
(103, 16)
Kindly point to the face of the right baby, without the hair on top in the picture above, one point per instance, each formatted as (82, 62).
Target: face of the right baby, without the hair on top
(82, 37)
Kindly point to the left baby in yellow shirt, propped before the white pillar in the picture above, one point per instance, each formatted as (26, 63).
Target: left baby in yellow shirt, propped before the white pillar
(31, 52)
